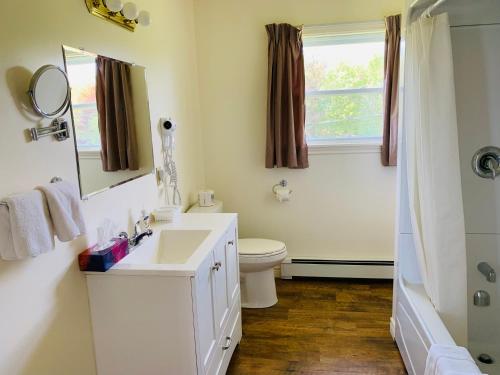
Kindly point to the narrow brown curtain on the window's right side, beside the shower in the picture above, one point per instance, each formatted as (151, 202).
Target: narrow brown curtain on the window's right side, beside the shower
(391, 90)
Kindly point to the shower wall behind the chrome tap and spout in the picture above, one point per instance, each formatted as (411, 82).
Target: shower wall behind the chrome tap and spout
(477, 79)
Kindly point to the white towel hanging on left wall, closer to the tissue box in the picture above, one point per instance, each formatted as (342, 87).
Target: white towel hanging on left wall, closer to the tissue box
(65, 209)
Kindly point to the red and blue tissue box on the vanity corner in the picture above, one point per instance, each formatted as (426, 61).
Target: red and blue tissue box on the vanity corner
(102, 260)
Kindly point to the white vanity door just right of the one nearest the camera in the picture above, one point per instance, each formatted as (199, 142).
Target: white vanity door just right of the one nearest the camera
(221, 306)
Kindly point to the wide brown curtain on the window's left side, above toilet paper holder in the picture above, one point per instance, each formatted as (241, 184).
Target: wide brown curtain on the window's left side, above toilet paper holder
(286, 145)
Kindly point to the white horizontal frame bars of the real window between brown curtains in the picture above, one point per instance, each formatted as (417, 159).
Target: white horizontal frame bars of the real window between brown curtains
(321, 35)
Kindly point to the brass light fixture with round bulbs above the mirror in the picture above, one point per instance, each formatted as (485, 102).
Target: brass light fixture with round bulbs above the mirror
(125, 15)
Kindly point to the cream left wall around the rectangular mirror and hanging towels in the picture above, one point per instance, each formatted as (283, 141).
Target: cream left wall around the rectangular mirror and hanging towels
(44, 316)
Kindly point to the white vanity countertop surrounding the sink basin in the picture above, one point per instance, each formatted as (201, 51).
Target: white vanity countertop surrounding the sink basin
(217, 224)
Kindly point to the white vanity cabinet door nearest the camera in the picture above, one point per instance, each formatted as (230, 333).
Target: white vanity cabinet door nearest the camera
(203, 301)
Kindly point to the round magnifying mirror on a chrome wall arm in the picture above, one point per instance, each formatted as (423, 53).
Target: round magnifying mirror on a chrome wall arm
(49, 91)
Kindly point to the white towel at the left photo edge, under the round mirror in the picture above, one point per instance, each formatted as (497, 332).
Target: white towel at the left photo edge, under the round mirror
(25, 227)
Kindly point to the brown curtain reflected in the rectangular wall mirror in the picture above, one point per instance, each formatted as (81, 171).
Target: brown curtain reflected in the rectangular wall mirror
(116, 115)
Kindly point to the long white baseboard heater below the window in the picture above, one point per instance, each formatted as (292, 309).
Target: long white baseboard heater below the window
(357, 269)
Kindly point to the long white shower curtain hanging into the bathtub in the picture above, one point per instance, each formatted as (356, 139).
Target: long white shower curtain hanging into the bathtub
(434, 182)
